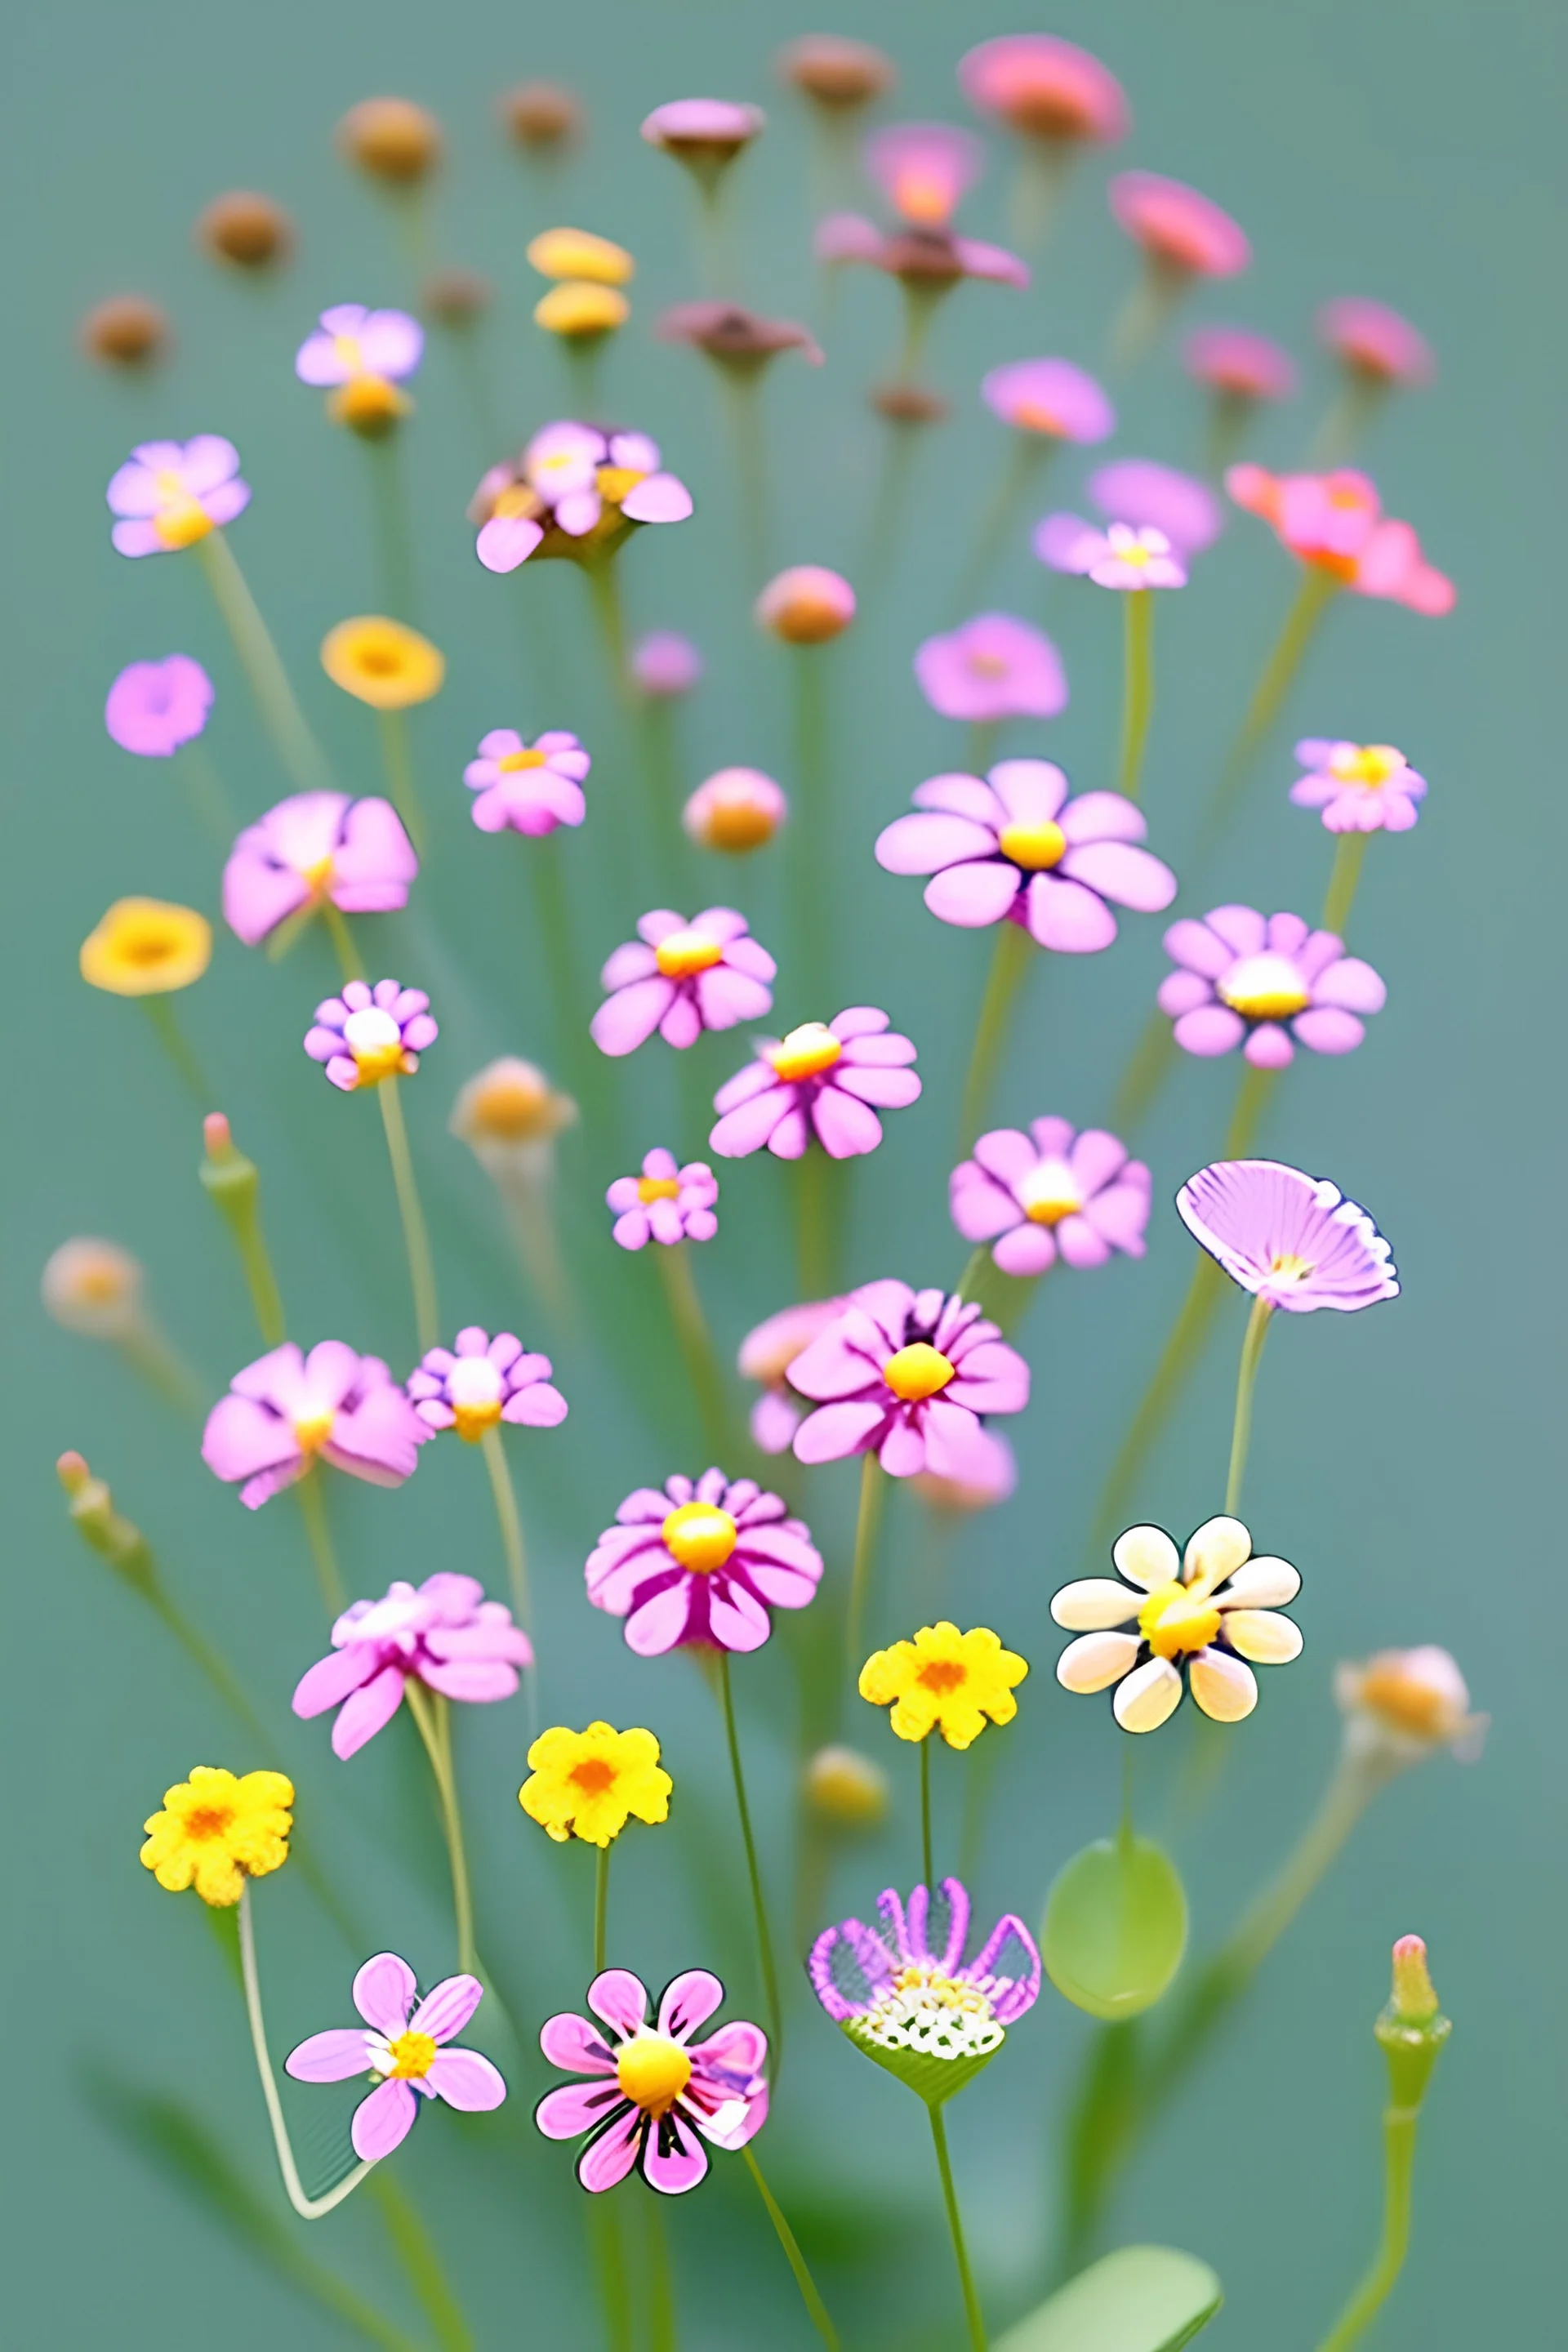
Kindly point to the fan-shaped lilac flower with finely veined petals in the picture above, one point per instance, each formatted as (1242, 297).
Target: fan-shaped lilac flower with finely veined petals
(1287, 1238)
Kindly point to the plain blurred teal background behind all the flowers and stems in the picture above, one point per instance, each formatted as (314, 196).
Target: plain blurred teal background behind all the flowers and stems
(1405, 1459)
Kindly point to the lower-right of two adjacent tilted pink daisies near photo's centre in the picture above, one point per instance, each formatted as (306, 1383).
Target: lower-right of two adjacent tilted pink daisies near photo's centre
(822, 1081)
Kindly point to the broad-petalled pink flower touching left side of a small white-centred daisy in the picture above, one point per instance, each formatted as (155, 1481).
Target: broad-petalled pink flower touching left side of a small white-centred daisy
(288, 1408)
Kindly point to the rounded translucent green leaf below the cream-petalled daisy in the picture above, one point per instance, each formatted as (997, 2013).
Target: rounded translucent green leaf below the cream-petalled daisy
(1115, 1927)
